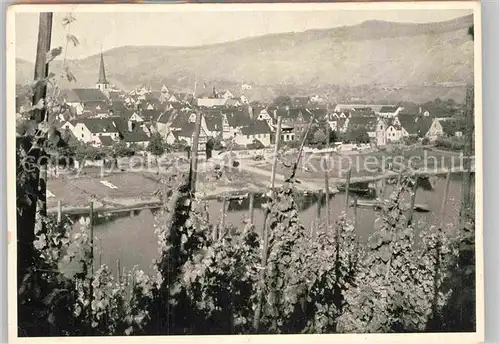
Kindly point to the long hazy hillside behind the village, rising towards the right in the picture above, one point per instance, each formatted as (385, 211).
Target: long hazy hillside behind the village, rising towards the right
(378, 54)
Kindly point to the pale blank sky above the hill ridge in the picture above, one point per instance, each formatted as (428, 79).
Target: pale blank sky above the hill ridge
(111, 30)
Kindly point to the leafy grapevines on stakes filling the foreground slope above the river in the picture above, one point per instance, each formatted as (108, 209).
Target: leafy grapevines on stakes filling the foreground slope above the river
(215, 279)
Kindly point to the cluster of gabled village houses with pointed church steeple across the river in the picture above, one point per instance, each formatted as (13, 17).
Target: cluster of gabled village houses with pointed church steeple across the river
(103, 116)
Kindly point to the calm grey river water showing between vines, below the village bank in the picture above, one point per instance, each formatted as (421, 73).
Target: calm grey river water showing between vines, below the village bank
(132, 239)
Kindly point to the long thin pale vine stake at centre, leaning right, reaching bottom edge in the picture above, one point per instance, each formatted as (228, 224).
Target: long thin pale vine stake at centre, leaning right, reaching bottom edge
(265, 234)
